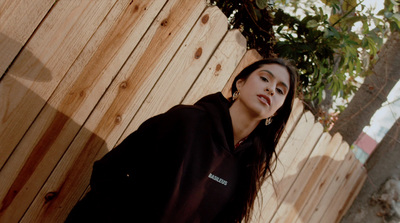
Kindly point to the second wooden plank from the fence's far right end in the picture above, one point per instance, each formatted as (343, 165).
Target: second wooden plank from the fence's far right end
(341, 175)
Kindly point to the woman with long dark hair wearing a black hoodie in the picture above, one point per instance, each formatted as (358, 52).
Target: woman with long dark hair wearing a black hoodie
(199, 163)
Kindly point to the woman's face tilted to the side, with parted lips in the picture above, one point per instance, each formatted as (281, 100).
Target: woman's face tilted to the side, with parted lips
(264, 91)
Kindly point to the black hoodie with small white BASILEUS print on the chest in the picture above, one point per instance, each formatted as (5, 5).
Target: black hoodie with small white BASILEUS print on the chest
(180, 166)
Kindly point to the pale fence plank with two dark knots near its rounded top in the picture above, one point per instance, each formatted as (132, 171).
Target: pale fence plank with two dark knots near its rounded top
(186, 65)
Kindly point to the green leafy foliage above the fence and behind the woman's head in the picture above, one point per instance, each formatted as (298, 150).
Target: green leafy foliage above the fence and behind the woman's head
(330, 53)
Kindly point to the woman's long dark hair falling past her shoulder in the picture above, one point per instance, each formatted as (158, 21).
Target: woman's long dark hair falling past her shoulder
(262, 160)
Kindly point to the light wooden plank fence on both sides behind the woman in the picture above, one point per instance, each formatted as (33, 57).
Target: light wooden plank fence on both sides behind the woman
(78, 76)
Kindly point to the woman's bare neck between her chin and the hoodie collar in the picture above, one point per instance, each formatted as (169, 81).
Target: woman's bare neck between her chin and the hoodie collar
(242, 122)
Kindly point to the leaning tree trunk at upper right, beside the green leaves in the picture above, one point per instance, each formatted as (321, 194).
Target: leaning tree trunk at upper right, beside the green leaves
(372, 93)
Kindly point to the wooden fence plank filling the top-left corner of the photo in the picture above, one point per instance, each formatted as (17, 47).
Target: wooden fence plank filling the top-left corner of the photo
(19, 19)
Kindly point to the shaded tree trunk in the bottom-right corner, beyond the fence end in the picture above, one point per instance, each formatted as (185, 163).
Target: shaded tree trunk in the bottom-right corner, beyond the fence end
(376, 201)
